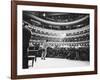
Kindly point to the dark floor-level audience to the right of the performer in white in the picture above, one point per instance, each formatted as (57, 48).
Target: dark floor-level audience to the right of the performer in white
(69, 53)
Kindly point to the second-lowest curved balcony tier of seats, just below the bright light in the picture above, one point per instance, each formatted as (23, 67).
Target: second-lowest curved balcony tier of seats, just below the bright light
(72, 39)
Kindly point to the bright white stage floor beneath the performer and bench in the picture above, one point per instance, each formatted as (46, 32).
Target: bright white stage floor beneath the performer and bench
(57, 63)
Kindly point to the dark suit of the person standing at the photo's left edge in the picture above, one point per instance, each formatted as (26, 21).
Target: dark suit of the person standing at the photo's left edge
(26, 38)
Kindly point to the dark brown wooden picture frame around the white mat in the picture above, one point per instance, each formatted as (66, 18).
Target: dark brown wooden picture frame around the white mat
(14, 38)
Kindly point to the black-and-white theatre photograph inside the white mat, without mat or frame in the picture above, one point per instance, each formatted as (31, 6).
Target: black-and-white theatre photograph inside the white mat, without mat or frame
(55, 36)
